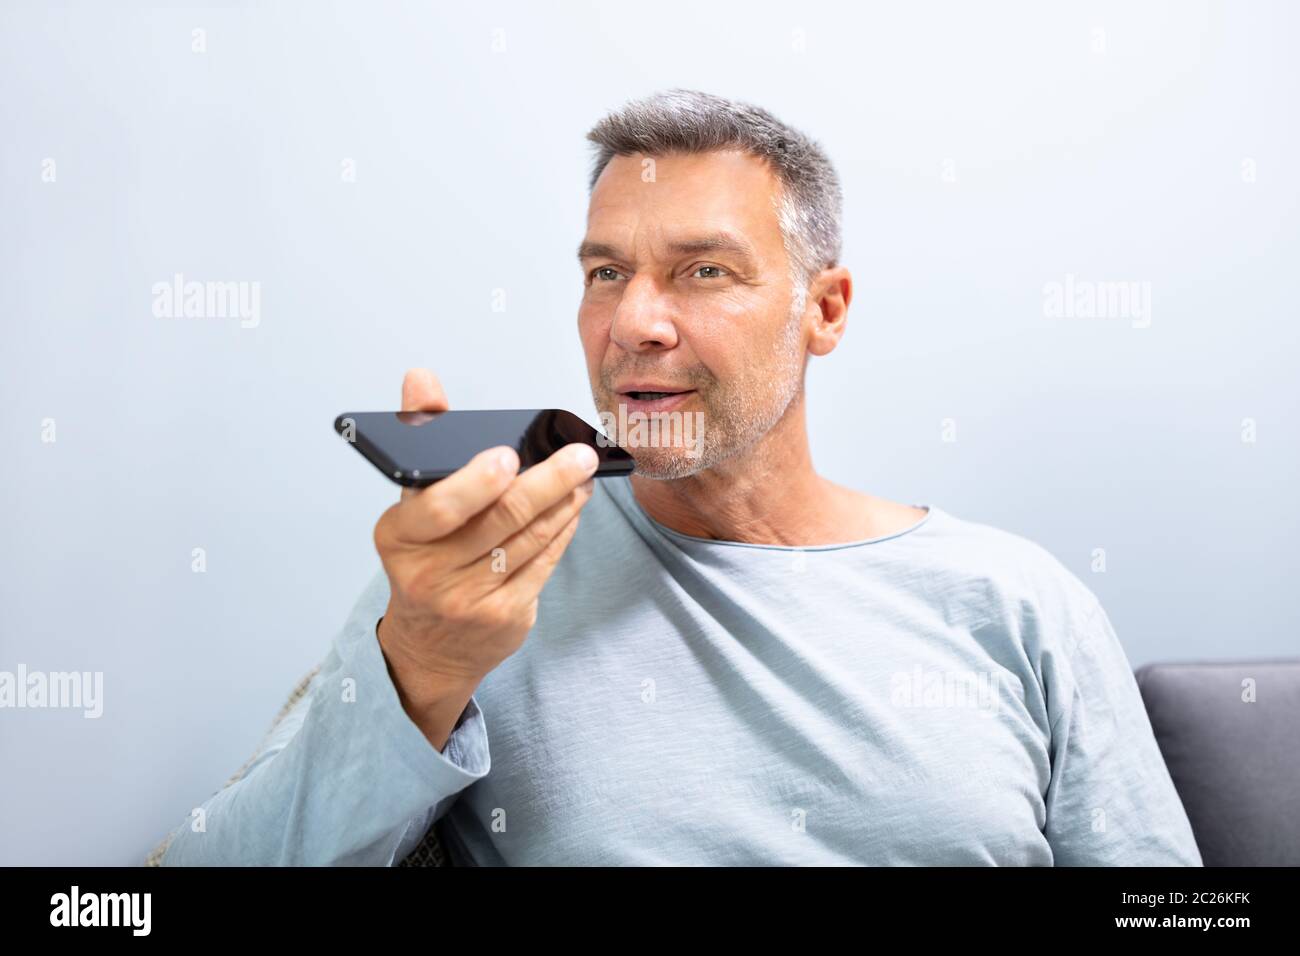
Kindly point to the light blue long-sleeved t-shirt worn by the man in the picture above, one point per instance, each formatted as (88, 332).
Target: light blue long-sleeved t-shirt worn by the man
(947, 695)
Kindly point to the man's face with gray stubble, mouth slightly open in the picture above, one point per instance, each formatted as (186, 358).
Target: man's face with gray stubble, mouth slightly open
(688, 287)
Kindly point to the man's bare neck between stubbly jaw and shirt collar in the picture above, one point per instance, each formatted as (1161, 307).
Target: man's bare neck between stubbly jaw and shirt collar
(766, 495)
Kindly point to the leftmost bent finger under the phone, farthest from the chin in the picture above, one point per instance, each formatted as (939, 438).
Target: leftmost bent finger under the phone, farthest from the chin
(436, 512)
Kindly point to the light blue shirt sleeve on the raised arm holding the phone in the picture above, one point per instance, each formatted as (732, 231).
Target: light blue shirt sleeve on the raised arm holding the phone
(346, 778)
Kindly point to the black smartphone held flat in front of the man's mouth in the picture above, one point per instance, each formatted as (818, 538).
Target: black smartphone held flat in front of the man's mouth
(419, 448)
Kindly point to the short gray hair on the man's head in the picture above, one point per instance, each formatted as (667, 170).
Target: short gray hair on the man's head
(679, 120)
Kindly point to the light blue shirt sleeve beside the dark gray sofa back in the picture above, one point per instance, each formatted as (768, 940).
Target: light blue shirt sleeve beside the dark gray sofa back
(1111, 801)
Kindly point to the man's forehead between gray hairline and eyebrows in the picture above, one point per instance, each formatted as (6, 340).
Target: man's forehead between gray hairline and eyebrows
(727, 192)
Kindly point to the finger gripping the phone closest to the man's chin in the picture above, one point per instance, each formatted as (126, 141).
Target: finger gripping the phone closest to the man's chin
(531, 495)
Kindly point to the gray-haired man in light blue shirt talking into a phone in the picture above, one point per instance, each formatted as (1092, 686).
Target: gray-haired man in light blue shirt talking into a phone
(735, 661)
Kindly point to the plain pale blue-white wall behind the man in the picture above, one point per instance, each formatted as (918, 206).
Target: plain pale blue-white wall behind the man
(986, 152)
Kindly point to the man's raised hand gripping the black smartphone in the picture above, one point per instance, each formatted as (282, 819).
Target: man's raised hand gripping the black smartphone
(467, 559)
